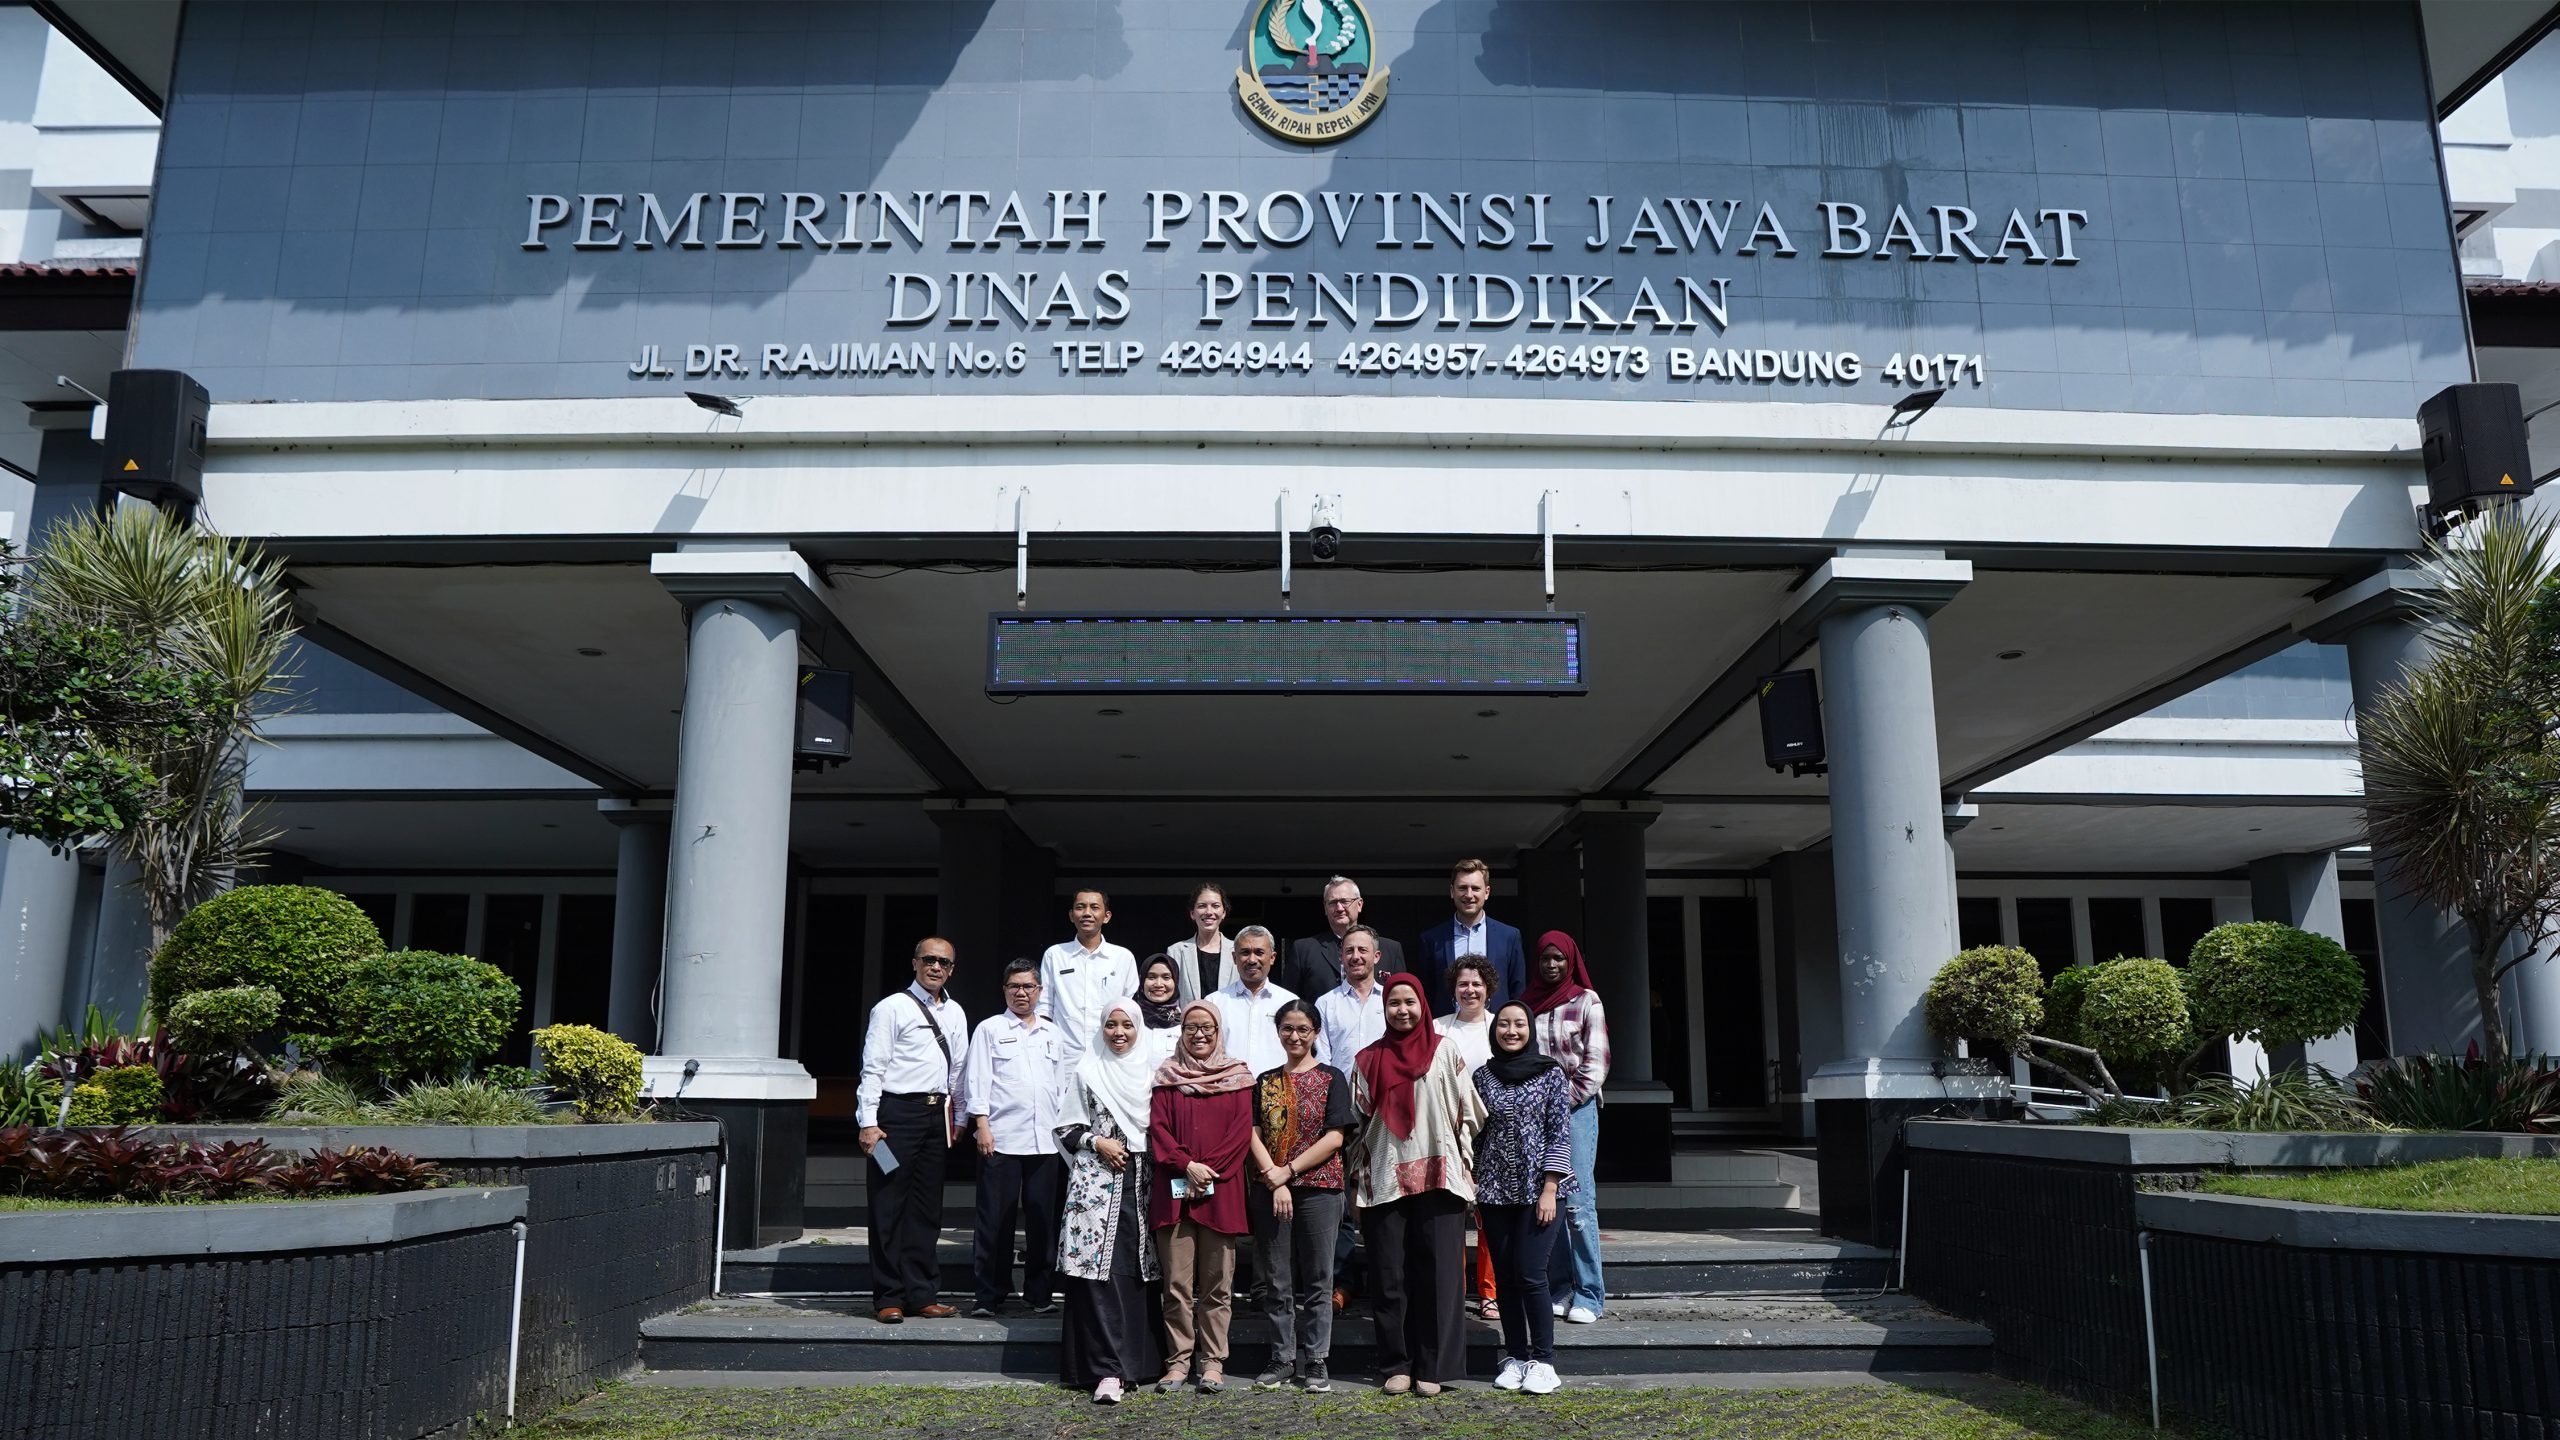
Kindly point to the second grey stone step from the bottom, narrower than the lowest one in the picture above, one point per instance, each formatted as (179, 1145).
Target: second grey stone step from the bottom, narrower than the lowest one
(1635, 1262)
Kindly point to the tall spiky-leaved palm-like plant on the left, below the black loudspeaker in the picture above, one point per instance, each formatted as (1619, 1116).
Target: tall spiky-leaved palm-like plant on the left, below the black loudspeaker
(209, 606)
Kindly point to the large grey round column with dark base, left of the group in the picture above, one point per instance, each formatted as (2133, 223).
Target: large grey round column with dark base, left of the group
(728, 872)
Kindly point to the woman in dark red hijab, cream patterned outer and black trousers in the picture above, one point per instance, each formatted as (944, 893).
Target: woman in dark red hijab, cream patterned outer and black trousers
(1414, 1180)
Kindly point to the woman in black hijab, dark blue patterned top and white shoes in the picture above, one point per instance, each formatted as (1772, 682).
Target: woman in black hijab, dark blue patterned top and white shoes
(1522, 1167)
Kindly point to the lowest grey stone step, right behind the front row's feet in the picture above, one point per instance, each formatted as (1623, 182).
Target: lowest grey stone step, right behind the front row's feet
(1635, 1339)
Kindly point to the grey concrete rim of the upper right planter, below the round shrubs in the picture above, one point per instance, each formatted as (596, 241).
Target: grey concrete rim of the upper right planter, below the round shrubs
(2213, 1149)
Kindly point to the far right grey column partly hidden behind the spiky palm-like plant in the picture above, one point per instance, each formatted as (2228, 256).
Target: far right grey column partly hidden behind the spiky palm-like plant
(2428, 995)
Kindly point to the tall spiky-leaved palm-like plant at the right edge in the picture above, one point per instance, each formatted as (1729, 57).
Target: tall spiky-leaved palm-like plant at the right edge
(2461, 762)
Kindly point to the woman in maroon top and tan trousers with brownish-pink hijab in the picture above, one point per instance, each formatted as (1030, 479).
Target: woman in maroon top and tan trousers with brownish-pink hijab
(1202, 1131)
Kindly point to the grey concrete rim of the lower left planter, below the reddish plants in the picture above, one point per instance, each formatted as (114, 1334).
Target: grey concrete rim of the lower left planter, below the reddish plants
(265, 1229)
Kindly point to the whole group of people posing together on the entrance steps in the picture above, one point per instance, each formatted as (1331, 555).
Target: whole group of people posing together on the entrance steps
(1143, 1118)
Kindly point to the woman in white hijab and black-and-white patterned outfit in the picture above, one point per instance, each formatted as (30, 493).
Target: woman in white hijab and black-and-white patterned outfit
(1105, 1247)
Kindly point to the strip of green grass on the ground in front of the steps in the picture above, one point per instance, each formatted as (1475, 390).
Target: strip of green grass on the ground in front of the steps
(1990, 1411)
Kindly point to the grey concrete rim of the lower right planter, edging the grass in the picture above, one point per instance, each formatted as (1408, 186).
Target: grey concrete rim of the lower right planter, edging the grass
(2349, 1229)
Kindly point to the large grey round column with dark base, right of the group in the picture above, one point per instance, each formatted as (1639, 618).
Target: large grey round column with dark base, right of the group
(1893, 893)
